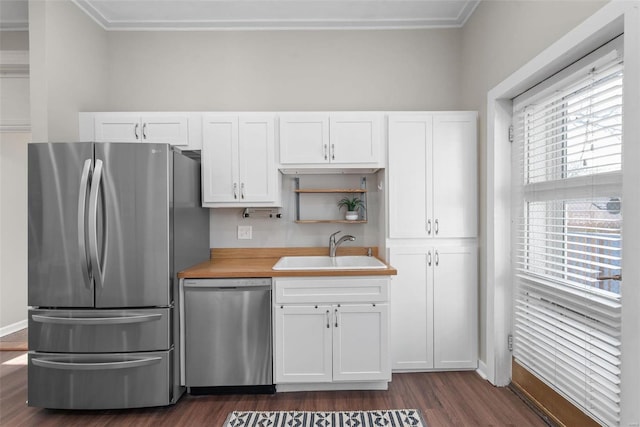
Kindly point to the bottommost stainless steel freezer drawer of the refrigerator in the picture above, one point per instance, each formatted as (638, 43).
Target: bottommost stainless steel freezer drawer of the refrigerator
(99, 381)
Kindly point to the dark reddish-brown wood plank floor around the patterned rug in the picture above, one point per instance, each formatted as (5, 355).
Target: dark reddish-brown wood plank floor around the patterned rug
(444, 398)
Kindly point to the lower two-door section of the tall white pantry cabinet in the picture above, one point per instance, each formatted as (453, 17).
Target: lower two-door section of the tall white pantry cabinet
(434, 306)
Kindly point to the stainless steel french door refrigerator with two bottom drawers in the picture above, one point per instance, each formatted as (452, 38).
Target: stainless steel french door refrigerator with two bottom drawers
(110, 226)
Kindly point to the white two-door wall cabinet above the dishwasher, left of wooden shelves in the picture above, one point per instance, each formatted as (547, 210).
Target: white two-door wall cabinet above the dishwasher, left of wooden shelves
(238, 161)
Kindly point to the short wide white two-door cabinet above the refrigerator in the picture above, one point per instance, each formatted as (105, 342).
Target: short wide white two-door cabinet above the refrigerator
(179, 129)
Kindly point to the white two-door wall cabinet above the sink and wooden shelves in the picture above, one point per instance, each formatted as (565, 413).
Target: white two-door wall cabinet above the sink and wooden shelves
(330, 139)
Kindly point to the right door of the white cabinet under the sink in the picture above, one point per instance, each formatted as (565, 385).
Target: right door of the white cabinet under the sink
(360, 342)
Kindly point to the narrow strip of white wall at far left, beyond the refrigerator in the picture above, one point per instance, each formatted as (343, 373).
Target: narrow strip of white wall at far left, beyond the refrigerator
(14, 116)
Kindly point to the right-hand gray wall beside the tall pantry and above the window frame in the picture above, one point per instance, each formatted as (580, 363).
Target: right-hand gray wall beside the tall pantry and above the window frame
(499, 38)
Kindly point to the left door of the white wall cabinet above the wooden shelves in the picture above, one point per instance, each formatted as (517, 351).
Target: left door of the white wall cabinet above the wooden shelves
(304, 139)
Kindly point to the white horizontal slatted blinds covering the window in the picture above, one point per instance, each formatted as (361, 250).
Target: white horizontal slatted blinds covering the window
(567, 239)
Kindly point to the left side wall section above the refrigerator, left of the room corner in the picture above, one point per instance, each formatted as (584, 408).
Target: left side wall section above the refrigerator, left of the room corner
(68, 56)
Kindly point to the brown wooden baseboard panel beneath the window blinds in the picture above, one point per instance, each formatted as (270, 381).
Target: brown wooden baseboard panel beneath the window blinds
(559, 410)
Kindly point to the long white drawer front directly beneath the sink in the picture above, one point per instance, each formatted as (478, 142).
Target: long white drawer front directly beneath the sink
(331, 290)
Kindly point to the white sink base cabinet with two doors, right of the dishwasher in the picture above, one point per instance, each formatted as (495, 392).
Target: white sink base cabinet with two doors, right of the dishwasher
(341, 339)
